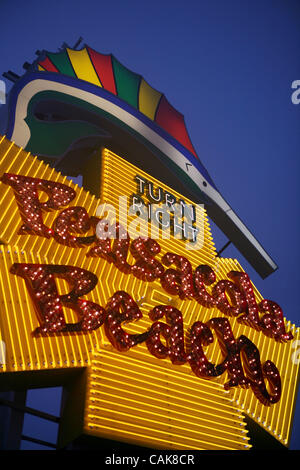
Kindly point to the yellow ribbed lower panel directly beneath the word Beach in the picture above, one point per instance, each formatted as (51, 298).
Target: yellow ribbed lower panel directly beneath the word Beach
(134, 398)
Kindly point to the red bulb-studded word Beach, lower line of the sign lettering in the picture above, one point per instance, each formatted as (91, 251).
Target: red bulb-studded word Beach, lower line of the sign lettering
(122, 308)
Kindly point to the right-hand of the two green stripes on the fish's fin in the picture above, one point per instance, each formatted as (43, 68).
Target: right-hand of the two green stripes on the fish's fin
(127, 83)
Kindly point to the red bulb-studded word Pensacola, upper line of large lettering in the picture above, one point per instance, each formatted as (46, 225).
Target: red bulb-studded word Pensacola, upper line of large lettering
(182, 281)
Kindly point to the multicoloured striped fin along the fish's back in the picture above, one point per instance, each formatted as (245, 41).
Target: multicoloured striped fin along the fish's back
(105, 71)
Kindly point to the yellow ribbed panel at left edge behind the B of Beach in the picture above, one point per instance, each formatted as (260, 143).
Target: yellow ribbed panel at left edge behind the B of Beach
(18, 321)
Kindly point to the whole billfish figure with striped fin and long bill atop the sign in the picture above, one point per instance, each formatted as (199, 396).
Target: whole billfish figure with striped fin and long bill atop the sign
(70, 103)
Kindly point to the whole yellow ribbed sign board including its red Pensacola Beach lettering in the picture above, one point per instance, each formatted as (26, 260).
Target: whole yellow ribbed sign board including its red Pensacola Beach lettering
(140, 388)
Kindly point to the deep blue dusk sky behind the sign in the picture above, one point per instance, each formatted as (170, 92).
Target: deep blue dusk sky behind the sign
(228, 67)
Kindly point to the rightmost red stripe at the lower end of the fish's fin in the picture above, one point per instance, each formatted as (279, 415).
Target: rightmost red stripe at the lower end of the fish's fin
(172, 121)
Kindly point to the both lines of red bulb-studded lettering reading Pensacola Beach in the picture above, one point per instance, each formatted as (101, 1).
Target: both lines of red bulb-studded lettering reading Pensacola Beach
(182, 282)
